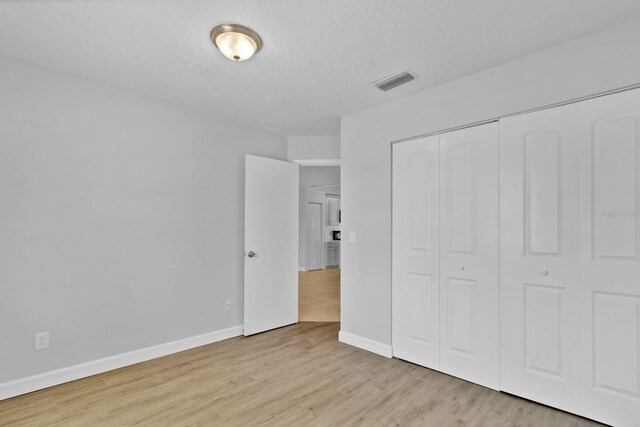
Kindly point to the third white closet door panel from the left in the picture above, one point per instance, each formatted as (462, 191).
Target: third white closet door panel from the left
(539, 283)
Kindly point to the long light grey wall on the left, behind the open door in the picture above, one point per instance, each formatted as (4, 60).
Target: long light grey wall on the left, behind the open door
(121, 219)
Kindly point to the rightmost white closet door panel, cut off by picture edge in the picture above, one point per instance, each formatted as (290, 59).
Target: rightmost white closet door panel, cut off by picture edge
(610, 256)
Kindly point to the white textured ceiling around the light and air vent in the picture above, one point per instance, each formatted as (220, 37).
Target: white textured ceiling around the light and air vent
(319, 57)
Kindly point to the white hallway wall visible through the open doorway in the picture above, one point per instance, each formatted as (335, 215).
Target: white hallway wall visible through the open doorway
(317, 176)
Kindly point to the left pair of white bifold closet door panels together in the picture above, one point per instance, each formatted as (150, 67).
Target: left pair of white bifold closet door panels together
(445, 245)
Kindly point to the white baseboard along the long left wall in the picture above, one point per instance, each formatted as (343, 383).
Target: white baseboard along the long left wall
(87, 369)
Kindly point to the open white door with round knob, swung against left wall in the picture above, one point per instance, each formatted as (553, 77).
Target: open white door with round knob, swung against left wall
(271, 244)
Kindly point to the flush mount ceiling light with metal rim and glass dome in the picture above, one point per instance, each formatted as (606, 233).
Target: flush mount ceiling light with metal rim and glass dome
(236, 42)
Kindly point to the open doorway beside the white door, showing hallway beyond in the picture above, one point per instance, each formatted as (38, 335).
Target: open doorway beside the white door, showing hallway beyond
(319, 244)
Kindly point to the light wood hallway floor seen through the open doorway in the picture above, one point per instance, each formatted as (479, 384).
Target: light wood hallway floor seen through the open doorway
(319, 296)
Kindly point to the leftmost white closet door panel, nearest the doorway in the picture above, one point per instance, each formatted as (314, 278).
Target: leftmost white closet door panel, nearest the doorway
(415, 251)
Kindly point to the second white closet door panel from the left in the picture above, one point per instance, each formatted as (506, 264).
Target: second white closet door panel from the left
(469, 254)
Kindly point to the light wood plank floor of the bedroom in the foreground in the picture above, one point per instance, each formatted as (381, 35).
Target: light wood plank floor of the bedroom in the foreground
(294, 376)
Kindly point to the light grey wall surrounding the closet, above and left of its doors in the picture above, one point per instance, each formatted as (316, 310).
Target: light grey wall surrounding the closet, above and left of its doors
(586, 66)
